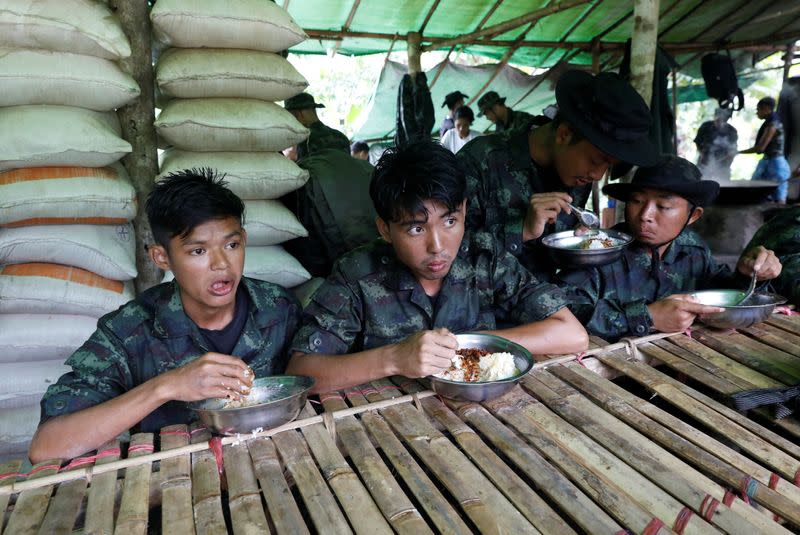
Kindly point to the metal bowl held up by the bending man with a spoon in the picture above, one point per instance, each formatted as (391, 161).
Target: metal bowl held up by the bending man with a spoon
(565, 248)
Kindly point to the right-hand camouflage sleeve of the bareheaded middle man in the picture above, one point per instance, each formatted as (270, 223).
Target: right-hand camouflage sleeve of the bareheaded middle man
(519, 297)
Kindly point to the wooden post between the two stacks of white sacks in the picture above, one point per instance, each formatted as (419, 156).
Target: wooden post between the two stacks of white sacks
(137, 128)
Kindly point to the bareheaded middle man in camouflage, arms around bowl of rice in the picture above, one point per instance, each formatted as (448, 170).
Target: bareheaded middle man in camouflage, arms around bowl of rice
(394, 305)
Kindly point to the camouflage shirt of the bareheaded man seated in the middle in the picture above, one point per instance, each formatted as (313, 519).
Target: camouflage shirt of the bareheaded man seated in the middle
(371, 299)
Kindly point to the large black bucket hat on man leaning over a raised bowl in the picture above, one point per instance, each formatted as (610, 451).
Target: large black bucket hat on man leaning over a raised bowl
(609, 113)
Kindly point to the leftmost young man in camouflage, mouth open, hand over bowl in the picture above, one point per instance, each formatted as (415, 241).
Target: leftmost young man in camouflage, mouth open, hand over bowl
(206, 334)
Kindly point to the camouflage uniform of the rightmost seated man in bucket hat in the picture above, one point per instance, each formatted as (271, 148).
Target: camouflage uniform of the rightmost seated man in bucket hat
(611, 300)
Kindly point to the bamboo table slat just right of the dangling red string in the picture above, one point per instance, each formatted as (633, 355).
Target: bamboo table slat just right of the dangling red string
(244, 498)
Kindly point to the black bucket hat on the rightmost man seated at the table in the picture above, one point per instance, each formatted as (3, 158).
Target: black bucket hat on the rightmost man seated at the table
(673, 174)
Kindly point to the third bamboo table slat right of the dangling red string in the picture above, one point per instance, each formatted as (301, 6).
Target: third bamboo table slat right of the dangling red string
(317, 497)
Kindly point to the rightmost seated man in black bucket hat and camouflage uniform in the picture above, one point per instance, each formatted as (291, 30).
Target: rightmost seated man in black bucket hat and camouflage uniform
(645, 289)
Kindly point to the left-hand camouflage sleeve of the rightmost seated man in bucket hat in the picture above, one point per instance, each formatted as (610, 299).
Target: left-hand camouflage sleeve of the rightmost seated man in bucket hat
(608, 318)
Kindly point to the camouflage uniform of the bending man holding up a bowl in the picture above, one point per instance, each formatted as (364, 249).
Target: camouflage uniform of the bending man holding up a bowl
(501, 177)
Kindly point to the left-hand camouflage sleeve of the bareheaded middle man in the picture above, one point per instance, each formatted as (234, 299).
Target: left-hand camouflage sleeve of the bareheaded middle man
(332, 320)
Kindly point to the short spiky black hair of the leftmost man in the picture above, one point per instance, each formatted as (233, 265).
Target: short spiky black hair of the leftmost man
(186, 199)
